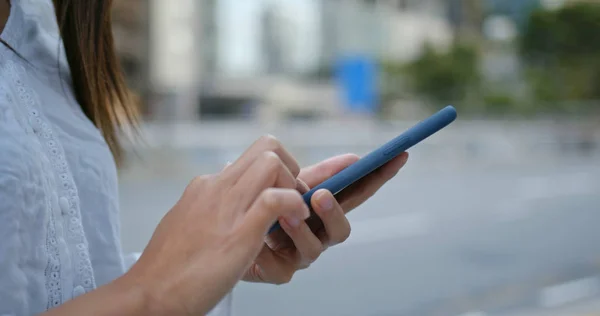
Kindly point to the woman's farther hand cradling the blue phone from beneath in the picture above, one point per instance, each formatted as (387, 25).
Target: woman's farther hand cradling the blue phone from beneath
(301, 243)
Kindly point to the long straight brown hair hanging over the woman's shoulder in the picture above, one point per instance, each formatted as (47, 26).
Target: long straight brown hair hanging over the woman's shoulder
(98, 81)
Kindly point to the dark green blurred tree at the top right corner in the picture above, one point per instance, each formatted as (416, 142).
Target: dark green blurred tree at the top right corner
(561, 49)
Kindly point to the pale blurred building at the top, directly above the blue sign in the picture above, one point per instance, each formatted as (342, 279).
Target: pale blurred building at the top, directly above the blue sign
(389, 29)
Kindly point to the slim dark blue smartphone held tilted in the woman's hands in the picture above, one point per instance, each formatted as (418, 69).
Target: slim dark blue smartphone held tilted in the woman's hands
(382, 155)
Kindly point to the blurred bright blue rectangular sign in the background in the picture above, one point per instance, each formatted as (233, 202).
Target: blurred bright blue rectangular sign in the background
(357, 79)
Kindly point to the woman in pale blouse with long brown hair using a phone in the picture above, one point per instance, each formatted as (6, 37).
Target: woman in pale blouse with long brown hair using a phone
(62, 104)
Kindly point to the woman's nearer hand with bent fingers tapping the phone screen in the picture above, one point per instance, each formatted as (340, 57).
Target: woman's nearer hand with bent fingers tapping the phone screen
(211, 237)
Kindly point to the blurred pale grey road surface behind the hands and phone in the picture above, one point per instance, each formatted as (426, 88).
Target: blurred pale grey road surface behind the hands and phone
(442, 238)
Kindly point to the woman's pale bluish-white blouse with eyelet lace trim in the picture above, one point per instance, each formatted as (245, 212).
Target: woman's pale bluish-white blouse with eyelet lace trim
(59, 205)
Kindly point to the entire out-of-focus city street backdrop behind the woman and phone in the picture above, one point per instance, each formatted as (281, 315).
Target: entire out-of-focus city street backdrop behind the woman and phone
(496, 215)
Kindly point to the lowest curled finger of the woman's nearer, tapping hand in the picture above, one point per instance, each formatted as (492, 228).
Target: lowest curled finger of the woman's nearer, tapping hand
(271, 205)
